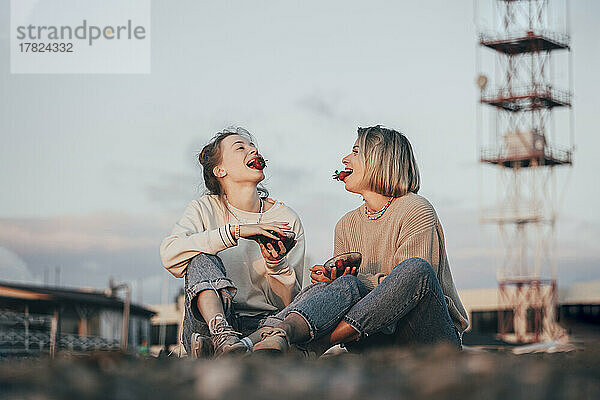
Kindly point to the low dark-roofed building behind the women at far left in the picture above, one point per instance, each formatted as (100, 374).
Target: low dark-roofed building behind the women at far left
(42, 319)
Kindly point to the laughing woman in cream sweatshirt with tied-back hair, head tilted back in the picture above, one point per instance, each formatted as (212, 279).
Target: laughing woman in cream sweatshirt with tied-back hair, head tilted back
(232, 280)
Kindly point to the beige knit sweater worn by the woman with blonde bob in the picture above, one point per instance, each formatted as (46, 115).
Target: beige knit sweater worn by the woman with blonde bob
(408, 228)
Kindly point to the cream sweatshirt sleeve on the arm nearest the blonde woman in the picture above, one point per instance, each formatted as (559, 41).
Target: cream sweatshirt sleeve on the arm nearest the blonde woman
(285, 277)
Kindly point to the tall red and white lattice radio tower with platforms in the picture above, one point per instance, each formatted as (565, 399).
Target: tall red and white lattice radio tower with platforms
(522, 148)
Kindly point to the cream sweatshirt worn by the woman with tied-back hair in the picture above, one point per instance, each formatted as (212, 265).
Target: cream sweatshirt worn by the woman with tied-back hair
(261, 286)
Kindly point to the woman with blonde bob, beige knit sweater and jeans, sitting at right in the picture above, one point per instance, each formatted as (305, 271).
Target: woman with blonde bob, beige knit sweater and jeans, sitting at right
(403, 291)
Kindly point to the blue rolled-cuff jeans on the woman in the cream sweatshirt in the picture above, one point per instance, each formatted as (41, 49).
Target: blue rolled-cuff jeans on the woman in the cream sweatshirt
(206, 272)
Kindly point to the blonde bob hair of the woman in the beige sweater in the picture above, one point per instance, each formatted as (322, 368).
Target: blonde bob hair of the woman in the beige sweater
(389, 162)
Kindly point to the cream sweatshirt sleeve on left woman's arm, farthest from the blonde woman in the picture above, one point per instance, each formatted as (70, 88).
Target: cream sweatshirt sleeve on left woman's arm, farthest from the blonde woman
(189, 238)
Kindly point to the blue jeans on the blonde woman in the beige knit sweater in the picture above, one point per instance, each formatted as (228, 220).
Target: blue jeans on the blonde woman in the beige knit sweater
(407, 307)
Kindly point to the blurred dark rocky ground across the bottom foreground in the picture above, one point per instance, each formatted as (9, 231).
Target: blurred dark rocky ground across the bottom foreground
(438, 373)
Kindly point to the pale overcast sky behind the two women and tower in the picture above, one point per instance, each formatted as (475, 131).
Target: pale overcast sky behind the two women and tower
(96, 169)
